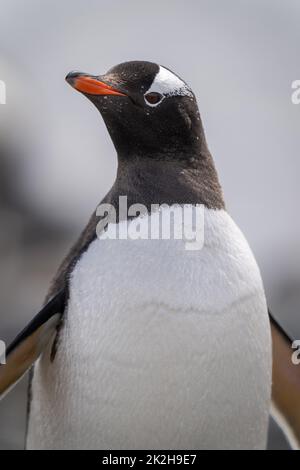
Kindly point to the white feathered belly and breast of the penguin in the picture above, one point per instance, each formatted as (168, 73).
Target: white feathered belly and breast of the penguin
(162, 348)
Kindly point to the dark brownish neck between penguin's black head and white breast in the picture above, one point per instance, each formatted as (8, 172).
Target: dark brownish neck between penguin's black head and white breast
(188, 179)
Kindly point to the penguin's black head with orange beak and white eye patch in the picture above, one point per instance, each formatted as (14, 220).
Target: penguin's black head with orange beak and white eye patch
(149, 111)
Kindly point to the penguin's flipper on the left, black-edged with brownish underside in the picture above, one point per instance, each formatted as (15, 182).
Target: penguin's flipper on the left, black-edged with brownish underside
(30, 343)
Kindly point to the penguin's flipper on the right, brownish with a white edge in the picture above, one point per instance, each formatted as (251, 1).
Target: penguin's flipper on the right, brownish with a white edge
(286, 384)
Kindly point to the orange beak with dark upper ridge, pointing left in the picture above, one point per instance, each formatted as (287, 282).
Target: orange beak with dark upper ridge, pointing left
(90, 85)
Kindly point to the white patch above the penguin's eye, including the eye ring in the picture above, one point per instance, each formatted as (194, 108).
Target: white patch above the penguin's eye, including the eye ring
(166, 84)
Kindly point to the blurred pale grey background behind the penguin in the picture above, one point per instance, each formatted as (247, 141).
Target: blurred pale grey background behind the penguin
(57, 161)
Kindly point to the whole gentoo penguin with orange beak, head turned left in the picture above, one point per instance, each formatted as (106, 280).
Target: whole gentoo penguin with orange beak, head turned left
(146, 343)
